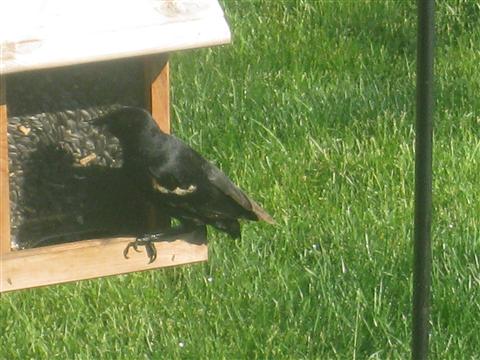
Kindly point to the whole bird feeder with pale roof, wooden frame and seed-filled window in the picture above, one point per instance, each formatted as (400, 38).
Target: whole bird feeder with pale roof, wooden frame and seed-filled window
(66, 210)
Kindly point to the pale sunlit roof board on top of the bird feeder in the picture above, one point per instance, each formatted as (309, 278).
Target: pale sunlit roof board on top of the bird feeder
(52, 33)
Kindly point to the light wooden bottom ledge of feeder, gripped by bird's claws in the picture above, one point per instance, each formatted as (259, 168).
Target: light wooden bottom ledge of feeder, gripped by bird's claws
(91, 259)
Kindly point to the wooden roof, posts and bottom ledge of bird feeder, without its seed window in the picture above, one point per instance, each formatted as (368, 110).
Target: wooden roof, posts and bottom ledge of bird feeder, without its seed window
(53, 34)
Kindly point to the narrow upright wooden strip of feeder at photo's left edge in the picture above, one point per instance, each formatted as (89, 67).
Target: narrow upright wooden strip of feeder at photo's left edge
(4, 174)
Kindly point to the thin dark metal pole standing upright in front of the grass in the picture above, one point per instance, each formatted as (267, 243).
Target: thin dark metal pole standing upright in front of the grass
(423, 180)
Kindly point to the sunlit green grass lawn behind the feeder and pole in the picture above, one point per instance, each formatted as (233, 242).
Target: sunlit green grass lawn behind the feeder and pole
(311, 110)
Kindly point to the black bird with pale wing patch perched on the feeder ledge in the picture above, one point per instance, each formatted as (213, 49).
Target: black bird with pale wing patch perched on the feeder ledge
(177, 180)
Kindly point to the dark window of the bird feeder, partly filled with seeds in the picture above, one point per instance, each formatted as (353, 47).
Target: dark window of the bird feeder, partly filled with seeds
(65, 178)
